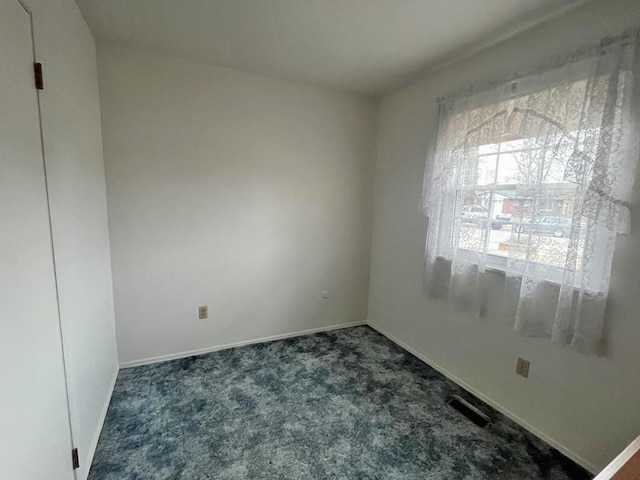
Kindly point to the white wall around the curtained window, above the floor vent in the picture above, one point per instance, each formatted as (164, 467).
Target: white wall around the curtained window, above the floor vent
(587, 405)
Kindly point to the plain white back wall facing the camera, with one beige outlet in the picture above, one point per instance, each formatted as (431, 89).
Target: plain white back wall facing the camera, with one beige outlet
(244, 193)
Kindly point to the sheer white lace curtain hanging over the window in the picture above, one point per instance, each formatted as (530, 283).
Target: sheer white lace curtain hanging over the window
(533, 177)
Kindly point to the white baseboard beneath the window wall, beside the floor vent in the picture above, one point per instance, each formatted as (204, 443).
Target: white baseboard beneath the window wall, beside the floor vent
(558, 446)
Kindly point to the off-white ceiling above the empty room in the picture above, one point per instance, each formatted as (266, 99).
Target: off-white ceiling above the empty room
(366, 46)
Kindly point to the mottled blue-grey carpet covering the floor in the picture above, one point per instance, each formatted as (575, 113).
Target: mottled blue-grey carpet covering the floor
(347, 404)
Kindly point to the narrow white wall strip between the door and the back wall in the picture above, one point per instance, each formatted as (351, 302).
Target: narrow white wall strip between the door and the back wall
(75, 177)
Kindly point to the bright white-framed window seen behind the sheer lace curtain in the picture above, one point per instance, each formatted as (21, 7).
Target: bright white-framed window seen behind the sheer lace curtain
(517, 199)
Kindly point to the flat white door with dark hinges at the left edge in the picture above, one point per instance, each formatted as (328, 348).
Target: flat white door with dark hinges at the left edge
(35, 436)
